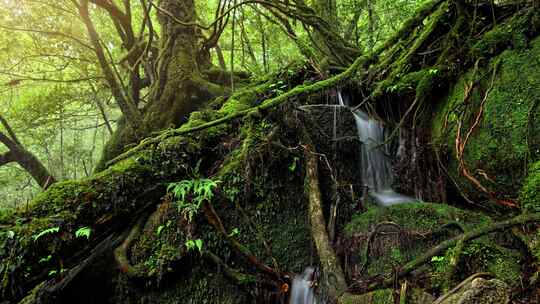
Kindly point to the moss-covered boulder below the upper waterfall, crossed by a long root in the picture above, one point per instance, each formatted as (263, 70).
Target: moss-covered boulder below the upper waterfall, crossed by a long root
(401, 233)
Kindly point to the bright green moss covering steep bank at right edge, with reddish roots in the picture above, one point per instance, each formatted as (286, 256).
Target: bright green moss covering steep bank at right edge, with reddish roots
(509, 120)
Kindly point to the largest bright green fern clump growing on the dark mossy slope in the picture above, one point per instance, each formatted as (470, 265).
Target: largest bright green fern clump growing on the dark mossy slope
(191, 194)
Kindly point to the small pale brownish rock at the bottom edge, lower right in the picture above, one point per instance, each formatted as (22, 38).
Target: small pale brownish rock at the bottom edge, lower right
(479, 291)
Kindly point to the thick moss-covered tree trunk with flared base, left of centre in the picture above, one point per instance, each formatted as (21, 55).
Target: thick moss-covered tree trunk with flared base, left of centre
(180, 85)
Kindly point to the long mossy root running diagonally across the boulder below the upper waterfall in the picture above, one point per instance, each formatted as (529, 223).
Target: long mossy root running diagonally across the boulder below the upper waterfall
(465, 237)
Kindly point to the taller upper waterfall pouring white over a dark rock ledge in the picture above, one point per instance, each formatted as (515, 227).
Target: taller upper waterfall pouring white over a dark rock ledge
(376, 166)
